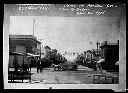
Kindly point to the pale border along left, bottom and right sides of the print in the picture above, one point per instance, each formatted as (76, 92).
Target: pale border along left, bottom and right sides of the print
(118, 87)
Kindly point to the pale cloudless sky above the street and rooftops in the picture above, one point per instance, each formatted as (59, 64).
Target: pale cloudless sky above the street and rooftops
(68, 33)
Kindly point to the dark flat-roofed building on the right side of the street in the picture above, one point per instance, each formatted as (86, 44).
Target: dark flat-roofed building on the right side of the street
(110, 52)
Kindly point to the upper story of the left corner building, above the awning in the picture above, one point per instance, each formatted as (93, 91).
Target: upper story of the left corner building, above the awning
(24, 44)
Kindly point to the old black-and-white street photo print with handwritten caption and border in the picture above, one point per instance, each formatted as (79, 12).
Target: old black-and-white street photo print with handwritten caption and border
(64, 46)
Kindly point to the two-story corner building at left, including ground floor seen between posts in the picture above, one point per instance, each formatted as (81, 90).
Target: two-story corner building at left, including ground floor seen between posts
(24, 44)
